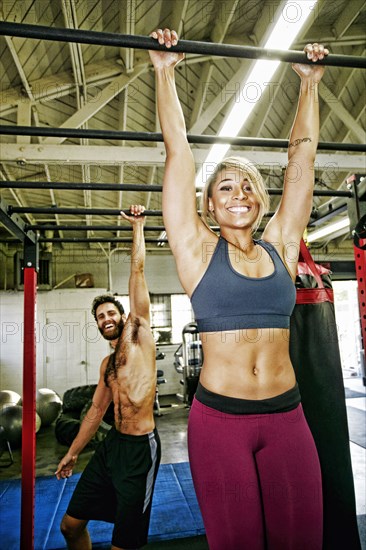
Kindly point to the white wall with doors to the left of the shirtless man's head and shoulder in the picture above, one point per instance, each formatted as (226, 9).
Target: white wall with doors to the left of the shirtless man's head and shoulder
(58, 335)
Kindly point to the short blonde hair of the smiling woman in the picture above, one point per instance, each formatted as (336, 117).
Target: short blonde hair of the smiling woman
(247, 169)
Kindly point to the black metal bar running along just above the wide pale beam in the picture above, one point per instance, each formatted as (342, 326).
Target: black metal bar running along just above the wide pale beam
(154, 137)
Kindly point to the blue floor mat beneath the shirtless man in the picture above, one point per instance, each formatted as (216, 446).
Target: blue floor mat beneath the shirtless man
(175, 513)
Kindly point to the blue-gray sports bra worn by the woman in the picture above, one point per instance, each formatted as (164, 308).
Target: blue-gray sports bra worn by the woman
(226, 300)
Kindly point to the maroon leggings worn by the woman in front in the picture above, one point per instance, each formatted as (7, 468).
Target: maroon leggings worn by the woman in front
(257, 479)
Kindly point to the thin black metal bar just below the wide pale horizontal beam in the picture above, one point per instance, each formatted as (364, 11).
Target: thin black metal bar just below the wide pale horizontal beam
(136, 187)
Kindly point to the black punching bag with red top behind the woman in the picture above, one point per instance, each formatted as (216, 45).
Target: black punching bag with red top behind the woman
(315, 355)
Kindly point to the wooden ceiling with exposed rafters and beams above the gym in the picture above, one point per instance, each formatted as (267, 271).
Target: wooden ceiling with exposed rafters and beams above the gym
(56, 84)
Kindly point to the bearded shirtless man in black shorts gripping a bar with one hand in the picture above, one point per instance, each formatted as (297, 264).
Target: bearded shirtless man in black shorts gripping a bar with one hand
(117, 484)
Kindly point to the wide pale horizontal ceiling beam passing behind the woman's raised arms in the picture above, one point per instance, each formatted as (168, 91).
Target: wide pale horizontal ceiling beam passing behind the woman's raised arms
(111, 155)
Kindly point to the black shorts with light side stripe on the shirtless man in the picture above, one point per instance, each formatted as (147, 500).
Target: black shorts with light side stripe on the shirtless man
(117, 486)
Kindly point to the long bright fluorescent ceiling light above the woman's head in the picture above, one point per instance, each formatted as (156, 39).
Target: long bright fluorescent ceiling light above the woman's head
(291, 19)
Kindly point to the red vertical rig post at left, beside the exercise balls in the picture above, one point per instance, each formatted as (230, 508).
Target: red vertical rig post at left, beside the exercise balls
(29, 411)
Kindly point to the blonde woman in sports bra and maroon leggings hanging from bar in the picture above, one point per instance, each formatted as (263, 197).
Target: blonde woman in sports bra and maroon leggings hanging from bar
(253, 460)
